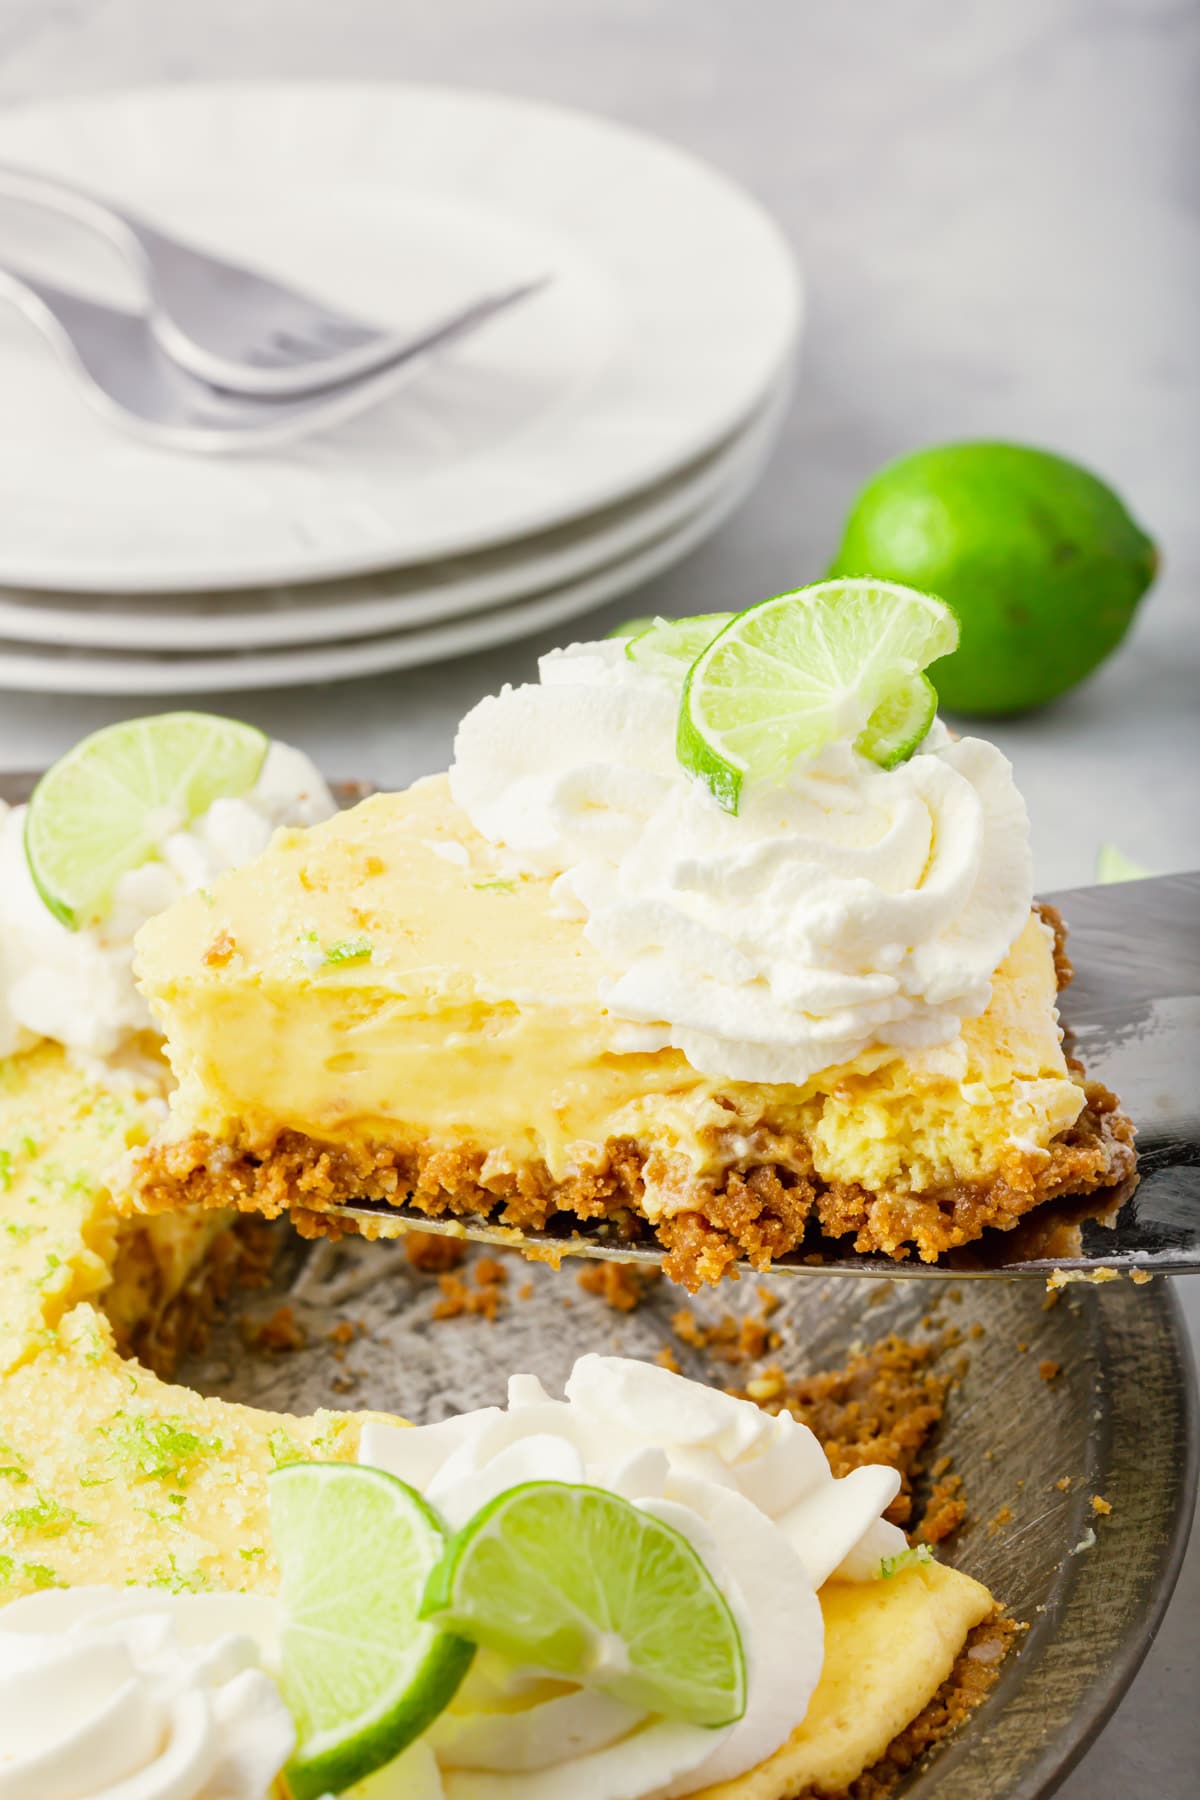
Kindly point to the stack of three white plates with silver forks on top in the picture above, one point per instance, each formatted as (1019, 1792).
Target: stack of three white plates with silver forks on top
(564, 456)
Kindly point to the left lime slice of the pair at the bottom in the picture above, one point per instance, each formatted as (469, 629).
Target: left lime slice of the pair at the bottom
(363, 1675)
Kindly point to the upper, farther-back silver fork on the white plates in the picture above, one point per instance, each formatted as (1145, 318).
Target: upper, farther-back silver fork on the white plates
(224, 323)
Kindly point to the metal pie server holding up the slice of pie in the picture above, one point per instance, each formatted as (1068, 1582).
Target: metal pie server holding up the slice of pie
(1133, 1016)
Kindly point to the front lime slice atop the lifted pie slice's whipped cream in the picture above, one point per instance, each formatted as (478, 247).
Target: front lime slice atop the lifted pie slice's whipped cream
(796, 672)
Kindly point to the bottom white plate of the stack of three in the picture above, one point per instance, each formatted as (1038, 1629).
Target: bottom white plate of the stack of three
(55, 670)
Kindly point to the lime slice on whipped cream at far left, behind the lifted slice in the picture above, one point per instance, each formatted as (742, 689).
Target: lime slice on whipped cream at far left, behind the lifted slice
(109, 805)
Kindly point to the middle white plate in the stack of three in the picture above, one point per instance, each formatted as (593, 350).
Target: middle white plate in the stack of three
(391, 600)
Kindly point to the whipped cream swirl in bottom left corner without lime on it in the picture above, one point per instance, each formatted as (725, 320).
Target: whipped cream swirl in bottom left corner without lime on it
(138, 1693)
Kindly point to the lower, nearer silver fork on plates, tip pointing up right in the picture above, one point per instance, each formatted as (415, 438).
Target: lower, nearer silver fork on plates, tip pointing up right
(127, 375)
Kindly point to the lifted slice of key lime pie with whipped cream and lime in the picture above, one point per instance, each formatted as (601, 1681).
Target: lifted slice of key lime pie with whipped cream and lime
(713, 935)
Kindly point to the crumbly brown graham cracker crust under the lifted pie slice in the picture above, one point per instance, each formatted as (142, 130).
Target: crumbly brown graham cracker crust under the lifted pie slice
(751, 1212)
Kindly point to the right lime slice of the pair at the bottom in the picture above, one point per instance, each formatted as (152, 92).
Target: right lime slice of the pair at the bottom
(582, 1583)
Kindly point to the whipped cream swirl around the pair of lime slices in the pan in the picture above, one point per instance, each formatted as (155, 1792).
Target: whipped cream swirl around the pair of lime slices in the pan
(757, 1498)
